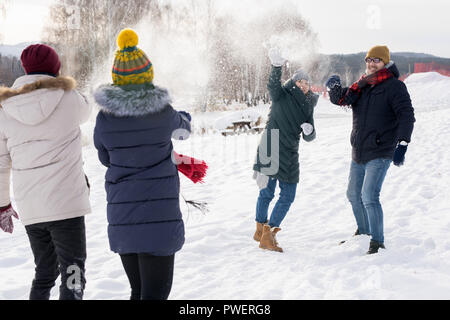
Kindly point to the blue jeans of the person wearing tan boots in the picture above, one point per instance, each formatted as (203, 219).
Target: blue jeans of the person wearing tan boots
(287, 197)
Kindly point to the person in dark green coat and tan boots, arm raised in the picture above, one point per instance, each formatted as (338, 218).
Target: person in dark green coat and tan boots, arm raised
(291, 116)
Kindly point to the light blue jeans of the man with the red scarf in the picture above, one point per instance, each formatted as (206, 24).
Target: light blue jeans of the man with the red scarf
(363, 192)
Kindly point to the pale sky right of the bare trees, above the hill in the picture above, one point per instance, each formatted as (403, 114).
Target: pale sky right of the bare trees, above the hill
(404, 25)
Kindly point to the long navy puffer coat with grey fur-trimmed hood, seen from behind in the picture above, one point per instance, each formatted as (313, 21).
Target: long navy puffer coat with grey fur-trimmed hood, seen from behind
(133, 136)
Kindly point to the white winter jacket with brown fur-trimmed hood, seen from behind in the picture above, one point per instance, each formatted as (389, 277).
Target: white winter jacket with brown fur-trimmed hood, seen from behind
(40, 143)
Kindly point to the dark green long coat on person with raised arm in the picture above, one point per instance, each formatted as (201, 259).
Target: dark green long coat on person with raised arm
(290, 109)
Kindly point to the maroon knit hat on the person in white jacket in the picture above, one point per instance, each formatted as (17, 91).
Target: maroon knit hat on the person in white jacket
(40, 58)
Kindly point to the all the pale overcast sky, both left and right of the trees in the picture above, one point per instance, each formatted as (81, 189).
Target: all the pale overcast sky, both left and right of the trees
(348, 26)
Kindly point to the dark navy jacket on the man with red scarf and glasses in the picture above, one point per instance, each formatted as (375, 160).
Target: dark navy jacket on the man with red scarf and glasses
(382, 116)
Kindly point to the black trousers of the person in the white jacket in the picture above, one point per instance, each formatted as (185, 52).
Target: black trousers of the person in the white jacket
(59, 248)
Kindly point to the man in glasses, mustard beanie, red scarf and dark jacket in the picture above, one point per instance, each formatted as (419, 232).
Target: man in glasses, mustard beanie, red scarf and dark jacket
(383, 122)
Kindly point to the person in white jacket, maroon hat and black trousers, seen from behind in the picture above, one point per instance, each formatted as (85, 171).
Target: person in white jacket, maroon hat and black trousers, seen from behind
(40, 144)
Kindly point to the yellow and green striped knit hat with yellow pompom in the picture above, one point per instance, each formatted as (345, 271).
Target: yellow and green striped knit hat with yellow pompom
(131, 64)
